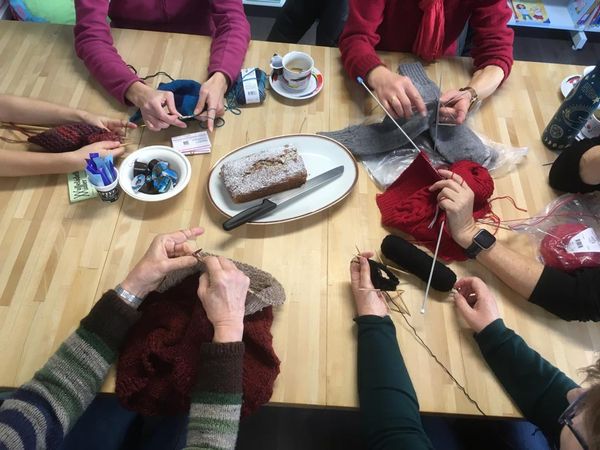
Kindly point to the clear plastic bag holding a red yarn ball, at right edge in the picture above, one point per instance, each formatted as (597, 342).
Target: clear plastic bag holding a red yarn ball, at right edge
(567, 232)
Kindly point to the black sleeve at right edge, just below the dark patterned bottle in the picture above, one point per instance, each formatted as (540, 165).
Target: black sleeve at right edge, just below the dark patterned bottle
(564, 174)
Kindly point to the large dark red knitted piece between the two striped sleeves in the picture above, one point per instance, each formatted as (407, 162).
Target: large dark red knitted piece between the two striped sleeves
(157, 367)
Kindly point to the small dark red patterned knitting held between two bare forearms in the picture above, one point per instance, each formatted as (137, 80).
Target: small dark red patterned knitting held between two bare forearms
(66, 138)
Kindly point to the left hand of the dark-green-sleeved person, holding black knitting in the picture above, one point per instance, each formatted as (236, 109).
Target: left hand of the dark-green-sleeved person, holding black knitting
(367, 299)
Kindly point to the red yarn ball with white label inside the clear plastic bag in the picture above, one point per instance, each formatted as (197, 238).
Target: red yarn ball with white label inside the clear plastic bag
(553, 248)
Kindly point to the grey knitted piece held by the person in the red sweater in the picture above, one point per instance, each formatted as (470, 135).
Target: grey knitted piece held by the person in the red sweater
(452, 143)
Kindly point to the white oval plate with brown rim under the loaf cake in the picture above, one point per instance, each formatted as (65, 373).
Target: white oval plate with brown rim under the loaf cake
(319, 154)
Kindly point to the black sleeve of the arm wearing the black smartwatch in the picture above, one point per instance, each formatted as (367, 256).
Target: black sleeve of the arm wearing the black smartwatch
(569, 295)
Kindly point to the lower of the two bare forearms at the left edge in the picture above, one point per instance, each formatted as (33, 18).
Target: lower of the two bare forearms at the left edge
(15, 163)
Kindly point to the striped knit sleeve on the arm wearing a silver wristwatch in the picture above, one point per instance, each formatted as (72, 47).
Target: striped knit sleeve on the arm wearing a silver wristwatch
(41, 412)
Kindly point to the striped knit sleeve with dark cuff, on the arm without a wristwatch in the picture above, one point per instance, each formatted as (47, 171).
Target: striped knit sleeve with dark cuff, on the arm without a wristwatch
(217, 397)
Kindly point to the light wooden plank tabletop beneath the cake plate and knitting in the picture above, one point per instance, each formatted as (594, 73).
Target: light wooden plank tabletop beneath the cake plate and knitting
(56, 259)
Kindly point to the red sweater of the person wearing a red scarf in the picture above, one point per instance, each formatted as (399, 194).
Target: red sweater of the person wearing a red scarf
(392, 25)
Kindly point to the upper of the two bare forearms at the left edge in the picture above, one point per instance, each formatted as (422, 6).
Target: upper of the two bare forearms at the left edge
(32, 111)
